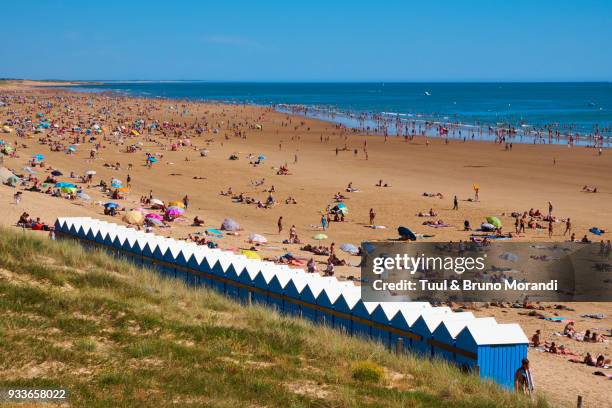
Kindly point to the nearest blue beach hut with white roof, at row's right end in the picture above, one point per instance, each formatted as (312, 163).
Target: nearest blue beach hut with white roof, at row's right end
(496, 351)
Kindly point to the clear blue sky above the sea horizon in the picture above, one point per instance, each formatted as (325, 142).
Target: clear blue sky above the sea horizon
(461, 40)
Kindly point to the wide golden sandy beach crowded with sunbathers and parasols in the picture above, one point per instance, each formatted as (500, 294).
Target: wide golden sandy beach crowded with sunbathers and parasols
(321, 159)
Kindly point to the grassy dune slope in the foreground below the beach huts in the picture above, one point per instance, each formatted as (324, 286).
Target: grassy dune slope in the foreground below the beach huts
(117, 335)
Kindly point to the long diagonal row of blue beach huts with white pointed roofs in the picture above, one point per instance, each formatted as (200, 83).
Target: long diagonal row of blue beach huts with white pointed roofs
(494, 350)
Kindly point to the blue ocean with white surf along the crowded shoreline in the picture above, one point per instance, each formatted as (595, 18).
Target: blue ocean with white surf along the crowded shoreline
(530, 109)
